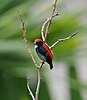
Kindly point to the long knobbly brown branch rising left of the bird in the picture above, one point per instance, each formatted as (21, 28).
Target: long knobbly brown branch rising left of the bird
(25, 40)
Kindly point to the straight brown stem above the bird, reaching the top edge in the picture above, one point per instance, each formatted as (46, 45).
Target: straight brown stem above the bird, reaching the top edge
(51, 16)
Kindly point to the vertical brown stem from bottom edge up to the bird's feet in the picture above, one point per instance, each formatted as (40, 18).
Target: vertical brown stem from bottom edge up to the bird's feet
(39, 81)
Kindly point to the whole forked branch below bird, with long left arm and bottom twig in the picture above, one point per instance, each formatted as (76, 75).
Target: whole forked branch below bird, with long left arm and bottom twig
(33, 59)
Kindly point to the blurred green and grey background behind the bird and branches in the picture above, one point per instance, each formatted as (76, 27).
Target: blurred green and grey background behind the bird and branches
(68, 79)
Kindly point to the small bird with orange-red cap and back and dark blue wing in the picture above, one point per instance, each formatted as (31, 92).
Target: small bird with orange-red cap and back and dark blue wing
(43, 51)
